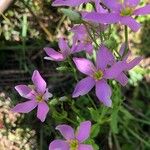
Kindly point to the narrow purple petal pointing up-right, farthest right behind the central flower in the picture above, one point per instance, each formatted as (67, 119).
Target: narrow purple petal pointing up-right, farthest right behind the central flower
(133, 63)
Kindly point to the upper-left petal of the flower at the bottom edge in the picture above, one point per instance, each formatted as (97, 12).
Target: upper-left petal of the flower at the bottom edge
(66, 131)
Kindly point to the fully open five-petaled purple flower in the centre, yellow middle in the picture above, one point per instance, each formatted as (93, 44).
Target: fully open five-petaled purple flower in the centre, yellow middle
(98, 75)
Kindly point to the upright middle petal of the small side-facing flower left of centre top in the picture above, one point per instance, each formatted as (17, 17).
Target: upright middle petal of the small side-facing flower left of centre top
(63, 45)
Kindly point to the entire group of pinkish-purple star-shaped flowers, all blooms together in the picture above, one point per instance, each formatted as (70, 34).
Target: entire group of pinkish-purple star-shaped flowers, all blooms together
(107, 66)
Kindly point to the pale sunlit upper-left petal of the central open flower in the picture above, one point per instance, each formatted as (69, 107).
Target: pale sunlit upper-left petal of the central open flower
(84, 65)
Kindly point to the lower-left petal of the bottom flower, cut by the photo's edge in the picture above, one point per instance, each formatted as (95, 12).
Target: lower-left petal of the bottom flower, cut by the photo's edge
(59, 145)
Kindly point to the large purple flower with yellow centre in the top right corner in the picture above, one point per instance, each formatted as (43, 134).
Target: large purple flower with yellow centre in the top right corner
(121, 12)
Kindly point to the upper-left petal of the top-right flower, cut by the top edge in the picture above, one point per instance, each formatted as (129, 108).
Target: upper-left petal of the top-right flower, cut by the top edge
(114, 5)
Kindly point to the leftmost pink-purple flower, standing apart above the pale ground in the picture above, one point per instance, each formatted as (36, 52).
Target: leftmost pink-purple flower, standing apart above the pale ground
(37, 96)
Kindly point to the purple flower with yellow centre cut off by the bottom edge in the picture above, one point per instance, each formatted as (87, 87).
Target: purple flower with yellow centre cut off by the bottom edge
(73, 141)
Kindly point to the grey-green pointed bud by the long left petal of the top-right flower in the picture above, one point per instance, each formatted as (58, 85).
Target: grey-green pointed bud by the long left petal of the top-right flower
(72, 15)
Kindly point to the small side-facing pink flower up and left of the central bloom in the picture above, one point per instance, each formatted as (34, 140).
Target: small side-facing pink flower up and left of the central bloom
(65, 50)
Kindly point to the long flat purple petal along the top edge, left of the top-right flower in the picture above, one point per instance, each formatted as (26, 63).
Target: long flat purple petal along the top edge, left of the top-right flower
(72, 3)
